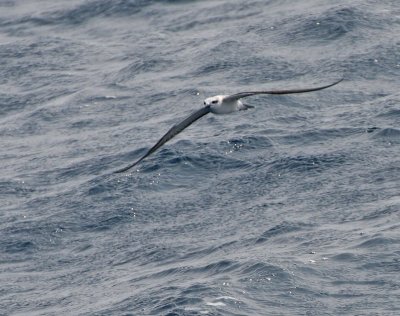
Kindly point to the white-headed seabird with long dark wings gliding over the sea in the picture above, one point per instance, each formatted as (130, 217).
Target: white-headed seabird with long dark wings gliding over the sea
(219, 104)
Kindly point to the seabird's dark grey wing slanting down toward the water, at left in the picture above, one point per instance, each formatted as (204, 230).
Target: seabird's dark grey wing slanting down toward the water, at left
(175, 130)
